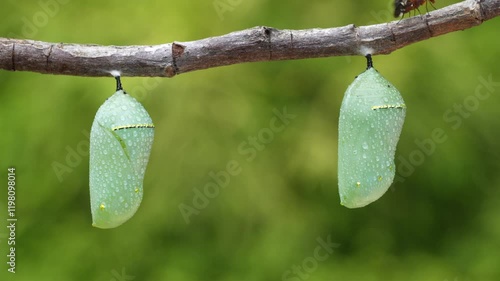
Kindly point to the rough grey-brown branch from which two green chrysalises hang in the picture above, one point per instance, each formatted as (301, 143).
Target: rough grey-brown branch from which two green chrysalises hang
(250, 45)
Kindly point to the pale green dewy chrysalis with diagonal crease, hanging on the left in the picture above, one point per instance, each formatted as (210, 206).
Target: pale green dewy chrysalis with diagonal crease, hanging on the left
(120, 144)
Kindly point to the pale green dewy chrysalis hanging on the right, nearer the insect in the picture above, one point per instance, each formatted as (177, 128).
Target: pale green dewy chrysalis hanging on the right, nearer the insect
(371, 119)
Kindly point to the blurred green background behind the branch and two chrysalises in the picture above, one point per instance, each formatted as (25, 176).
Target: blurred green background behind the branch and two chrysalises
(440, 222)
